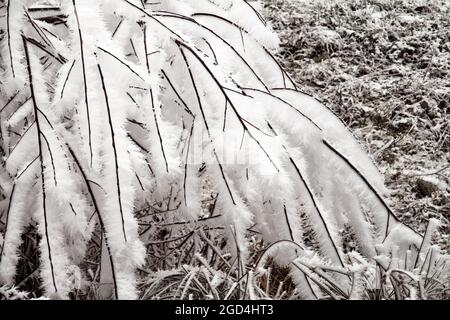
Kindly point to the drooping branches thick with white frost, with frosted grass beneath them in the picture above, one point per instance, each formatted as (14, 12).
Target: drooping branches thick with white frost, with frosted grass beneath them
(158, 151)
